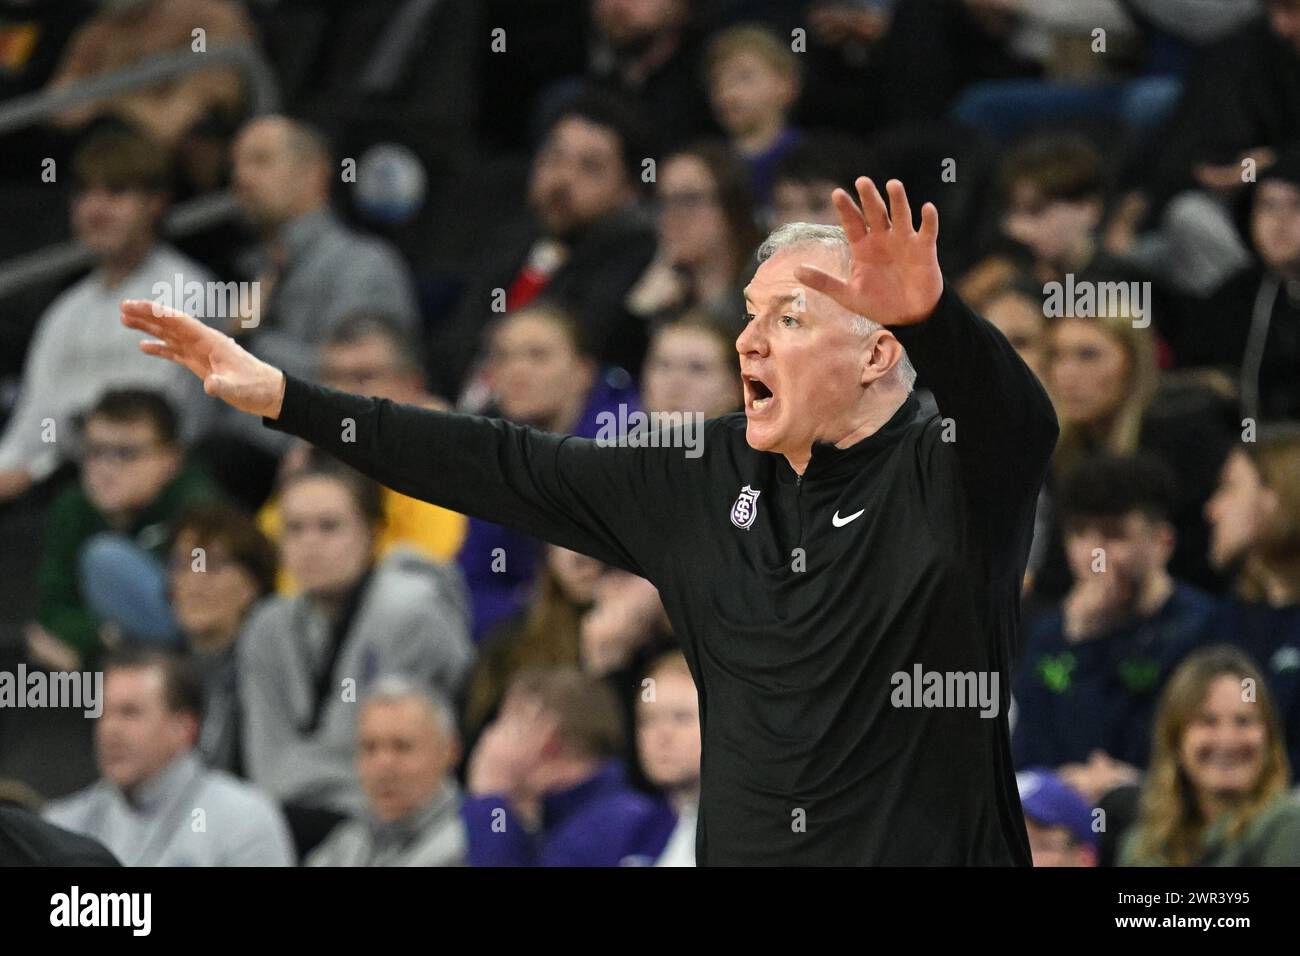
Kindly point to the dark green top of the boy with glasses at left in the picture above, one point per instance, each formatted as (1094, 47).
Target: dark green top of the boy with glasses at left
(73, 521)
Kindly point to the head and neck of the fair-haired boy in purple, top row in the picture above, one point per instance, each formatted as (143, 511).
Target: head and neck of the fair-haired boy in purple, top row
(755, 84)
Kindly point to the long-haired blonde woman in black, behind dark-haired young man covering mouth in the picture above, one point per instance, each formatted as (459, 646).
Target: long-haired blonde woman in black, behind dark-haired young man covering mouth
(1110, 399)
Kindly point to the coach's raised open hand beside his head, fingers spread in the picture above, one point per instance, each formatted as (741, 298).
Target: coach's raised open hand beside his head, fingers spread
(895, 278)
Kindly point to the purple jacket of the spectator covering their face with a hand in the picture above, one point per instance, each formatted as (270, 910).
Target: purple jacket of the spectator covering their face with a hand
(600, 823)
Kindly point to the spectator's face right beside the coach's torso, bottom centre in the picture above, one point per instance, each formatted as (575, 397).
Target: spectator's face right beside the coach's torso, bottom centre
(669, 732)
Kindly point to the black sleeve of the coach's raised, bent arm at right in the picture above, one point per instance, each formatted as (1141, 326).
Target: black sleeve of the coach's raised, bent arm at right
(1003, 423)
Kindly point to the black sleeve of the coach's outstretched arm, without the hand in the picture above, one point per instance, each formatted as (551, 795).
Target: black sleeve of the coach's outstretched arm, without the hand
(609, 503)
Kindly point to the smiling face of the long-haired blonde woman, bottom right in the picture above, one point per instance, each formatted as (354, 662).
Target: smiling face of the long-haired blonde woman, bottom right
(1223, 751)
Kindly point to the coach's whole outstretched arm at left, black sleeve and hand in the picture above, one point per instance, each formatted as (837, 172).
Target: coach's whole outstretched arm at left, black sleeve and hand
(573, 492)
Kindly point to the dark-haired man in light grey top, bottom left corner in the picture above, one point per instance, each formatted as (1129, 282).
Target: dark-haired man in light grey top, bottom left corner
(157, 804)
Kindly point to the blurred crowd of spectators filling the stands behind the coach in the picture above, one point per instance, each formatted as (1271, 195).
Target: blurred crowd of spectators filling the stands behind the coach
(548, 213)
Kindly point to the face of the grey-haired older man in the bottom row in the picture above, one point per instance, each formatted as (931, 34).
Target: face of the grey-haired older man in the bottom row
(402, 756)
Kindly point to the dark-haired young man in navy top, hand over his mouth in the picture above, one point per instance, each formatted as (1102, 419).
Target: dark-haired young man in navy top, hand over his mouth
(1087, 686)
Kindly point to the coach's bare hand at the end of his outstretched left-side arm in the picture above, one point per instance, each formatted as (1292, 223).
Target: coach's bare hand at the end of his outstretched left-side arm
(228, 371)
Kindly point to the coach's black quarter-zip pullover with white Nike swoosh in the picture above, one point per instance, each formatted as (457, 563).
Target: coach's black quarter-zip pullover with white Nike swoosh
(812, 611)
